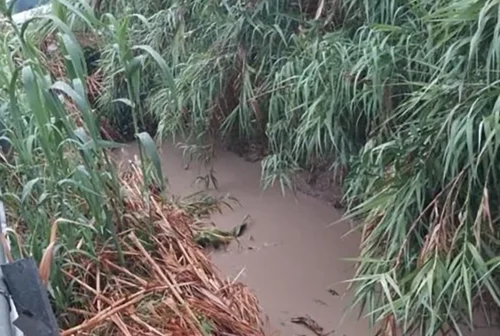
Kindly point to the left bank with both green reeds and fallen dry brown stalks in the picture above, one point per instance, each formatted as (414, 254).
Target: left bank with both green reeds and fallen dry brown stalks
(109, 243)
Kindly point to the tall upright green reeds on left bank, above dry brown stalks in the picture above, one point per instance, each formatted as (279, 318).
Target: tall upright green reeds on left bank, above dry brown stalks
(59, 176)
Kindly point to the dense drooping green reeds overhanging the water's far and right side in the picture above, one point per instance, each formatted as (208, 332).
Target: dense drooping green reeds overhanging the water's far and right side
(401, 94)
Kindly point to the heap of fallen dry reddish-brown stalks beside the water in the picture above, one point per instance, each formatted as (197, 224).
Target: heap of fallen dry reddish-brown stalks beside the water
(167, 285)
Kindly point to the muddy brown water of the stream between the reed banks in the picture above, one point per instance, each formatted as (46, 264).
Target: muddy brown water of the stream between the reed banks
(291, 257)
